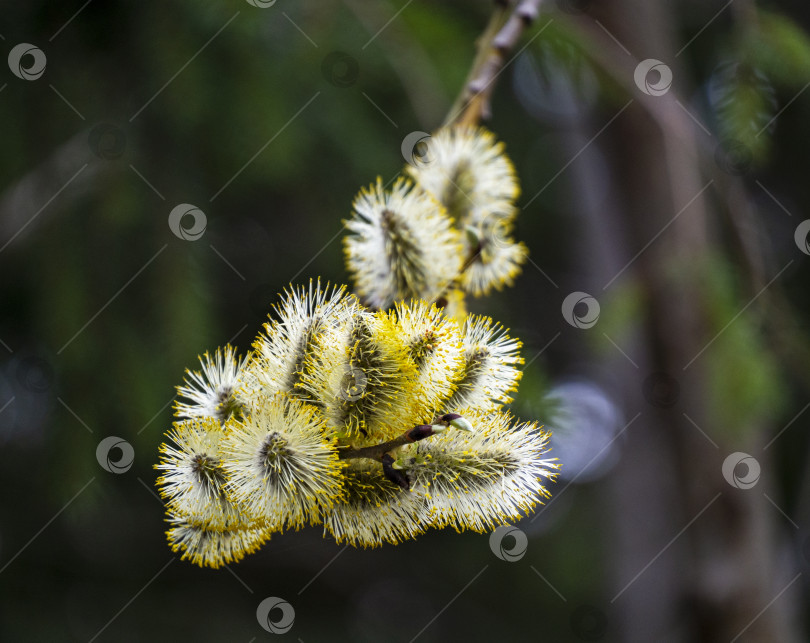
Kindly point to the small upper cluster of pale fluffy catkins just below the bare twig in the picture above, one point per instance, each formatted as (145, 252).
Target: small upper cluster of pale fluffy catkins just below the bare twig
(443, 232)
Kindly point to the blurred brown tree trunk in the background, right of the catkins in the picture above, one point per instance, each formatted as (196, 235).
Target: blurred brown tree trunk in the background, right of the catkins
(696, 558)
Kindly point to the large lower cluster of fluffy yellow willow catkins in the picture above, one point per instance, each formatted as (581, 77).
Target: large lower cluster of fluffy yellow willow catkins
(274, 441)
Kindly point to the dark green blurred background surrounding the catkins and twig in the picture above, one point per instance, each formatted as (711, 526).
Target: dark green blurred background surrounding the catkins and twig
(269, 120)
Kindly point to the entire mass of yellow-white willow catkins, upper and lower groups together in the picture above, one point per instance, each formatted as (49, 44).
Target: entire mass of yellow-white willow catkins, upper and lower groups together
(377, 421)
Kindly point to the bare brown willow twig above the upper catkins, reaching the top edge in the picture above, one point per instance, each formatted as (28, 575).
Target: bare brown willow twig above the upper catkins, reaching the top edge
(499, 38)
